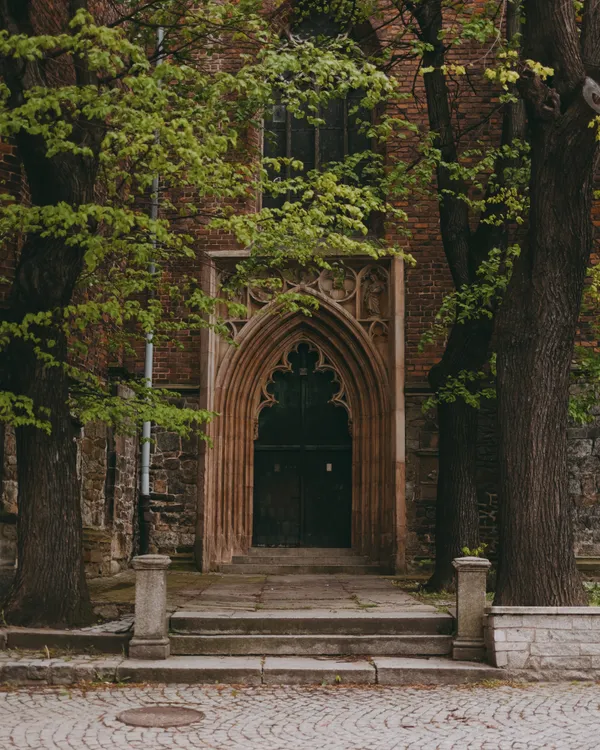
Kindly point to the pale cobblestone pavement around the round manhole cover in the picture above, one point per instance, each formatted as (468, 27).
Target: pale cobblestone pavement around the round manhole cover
(294, 718)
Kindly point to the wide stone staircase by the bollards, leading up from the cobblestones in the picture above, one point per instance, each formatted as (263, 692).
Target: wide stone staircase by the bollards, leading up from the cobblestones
(320, 647)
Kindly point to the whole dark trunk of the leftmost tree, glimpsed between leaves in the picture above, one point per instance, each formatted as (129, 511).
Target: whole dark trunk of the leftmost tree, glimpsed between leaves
(49, 586)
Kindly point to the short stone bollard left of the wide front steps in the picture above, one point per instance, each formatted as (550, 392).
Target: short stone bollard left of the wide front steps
(150, 634)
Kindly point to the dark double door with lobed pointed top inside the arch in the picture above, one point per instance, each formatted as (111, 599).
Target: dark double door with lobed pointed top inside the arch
(303, 461)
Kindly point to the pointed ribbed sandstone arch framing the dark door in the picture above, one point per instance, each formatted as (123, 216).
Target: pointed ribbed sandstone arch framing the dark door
(240, 385)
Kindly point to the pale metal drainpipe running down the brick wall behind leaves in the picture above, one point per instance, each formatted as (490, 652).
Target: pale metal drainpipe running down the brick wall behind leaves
(144, 505)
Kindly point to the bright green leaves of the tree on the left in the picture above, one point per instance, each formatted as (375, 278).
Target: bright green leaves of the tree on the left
(188, 122)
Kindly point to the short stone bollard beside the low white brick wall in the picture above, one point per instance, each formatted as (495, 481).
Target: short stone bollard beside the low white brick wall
(471, 578)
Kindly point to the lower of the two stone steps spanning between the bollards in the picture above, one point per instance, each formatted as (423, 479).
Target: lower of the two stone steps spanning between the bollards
(311, 645)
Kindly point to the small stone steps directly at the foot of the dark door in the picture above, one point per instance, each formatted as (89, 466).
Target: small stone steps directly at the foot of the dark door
(303, 560)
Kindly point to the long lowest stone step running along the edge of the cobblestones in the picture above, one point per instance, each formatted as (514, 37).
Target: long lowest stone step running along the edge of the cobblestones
(249, 670)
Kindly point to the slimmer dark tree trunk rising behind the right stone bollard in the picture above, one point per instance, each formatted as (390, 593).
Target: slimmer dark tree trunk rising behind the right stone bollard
(467, 348)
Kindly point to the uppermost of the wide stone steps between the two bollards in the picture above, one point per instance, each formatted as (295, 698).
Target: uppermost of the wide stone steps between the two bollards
(311, 622)
